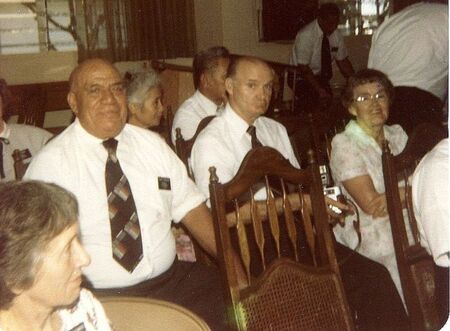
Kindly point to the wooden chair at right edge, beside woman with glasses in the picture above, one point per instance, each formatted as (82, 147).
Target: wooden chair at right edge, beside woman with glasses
(415, 265)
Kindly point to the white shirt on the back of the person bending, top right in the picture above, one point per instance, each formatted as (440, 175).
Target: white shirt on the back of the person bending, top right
(411, 48)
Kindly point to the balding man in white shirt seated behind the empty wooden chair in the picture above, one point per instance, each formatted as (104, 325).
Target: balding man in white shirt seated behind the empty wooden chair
(225, 142)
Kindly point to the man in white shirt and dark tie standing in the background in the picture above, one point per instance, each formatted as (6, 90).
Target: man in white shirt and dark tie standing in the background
(316, 46)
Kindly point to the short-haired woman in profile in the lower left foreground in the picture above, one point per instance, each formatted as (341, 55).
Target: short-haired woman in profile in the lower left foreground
(41, 261)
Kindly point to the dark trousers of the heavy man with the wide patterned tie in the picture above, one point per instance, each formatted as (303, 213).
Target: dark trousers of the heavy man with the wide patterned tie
(192, 285)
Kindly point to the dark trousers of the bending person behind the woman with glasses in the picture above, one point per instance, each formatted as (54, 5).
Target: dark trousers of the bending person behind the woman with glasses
(412, 106)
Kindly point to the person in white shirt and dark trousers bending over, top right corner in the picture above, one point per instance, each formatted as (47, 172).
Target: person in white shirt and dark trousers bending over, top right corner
(411, 48)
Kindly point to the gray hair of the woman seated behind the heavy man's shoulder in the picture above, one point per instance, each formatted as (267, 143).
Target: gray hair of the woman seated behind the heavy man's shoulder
(140, 84)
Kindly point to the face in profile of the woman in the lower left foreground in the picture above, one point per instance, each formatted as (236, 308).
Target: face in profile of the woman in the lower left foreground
(58, 275)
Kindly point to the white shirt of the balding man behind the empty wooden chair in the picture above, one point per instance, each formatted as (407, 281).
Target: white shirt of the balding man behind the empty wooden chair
(225, 142)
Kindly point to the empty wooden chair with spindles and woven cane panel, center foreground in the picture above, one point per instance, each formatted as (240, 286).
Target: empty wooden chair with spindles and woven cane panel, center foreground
(289, 294)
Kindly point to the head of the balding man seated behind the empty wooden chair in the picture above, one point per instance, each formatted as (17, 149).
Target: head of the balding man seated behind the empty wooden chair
(250, 89)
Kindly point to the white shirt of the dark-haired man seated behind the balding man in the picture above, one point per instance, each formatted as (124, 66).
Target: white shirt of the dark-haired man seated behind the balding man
(190, 113)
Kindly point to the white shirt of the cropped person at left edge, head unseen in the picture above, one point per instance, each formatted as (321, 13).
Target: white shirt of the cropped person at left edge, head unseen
(21, 137)
